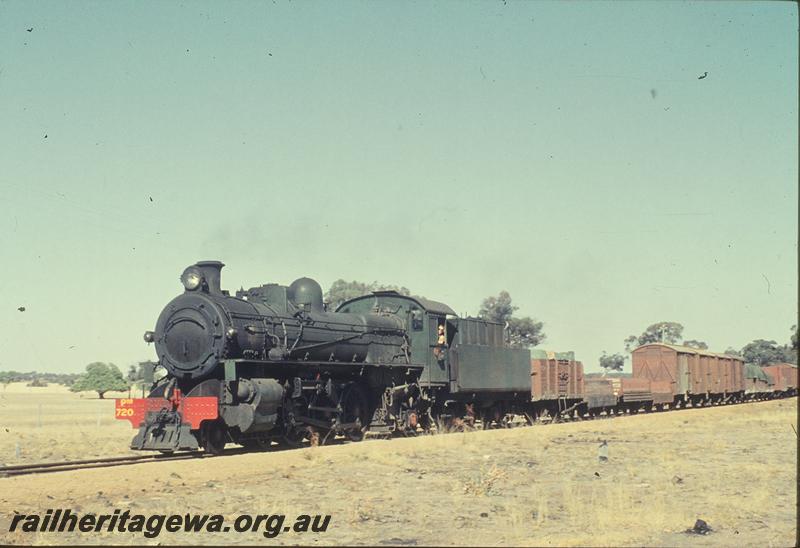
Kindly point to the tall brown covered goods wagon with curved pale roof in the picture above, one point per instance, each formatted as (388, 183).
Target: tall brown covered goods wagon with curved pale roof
(693, 375)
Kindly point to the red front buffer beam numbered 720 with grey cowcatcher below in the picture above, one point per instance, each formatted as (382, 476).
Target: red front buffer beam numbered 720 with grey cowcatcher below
(167, 424)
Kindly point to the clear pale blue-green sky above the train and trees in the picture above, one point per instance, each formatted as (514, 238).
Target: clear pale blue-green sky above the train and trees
(565, 152)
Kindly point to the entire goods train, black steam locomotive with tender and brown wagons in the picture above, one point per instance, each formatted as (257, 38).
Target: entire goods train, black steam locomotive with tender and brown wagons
(272, 364)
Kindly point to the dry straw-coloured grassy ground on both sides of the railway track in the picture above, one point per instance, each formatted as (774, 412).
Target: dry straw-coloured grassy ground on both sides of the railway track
(732, 466)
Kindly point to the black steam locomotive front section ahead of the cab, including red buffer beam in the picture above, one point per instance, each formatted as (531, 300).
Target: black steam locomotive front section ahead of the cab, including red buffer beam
(270, 364)
